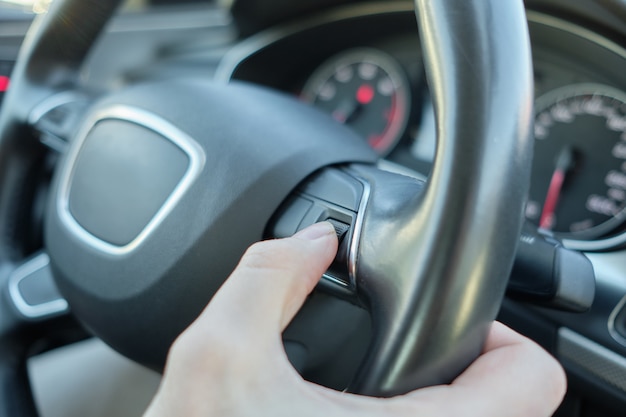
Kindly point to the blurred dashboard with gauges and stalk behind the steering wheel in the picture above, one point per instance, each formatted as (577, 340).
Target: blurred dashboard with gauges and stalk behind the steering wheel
(362, 64)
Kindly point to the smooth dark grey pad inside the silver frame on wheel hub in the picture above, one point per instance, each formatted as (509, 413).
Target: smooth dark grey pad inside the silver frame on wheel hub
(123, 176)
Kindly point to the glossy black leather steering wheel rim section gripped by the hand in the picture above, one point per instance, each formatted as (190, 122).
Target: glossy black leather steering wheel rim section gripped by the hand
(482, 91)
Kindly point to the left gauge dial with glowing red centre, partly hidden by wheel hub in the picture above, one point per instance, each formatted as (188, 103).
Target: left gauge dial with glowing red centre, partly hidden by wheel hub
(365, 89)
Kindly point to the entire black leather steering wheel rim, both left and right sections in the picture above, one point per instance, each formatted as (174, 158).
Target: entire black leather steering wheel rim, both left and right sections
(498, 148)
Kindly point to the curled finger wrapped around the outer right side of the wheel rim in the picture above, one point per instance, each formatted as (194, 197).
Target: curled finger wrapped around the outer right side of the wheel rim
(513, 377)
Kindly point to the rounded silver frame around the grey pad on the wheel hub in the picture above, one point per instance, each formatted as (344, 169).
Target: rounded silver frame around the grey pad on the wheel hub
(194, 151)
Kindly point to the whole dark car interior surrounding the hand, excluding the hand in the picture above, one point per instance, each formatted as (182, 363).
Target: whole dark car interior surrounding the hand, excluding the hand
(471, 156)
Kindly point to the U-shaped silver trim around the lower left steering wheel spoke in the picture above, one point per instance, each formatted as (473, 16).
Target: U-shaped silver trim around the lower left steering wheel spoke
(33, 312)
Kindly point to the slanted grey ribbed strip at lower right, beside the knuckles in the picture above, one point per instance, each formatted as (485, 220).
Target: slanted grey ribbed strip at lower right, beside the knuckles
(597, 360)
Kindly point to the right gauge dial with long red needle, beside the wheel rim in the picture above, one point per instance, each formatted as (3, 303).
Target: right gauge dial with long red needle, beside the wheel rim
(578, 184)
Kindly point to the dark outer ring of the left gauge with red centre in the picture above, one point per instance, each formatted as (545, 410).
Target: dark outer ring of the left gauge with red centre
(394, 70)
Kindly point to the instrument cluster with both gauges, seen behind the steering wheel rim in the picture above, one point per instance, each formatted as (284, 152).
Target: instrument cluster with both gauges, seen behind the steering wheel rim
(374, 82)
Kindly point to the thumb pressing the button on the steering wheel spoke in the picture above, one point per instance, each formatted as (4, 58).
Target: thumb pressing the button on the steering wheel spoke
(271, 283)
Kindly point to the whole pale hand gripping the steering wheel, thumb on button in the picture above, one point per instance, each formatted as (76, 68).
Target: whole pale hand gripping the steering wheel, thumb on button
(231, 361)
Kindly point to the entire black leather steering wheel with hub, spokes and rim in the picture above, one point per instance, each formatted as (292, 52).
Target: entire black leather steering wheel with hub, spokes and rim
(162, 186)
